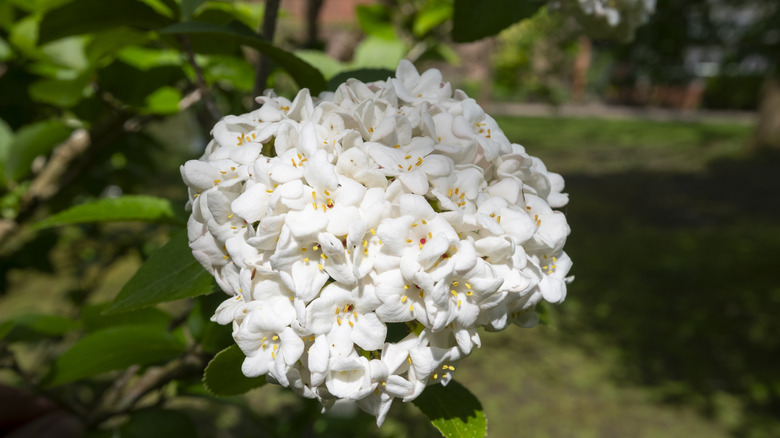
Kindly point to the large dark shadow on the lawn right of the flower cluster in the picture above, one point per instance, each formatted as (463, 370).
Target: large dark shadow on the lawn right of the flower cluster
(680, 273)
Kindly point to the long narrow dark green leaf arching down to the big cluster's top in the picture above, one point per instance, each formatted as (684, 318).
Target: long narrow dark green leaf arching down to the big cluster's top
(304, 74)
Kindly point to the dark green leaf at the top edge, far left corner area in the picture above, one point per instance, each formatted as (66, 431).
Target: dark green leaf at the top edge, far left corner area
(87, 16)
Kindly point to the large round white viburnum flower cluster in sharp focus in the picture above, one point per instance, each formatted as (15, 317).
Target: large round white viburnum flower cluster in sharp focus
(365, 235)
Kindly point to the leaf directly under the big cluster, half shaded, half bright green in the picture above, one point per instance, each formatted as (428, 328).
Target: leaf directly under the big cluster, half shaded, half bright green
(453, 410)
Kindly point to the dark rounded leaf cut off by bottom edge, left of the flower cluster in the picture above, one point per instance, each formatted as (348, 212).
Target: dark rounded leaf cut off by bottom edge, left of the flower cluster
(158, 423)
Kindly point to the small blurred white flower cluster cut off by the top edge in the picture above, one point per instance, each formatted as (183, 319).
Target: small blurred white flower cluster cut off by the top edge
(614, 18)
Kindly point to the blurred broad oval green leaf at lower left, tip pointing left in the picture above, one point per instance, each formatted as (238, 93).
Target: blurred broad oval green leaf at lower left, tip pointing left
(114, 348)
